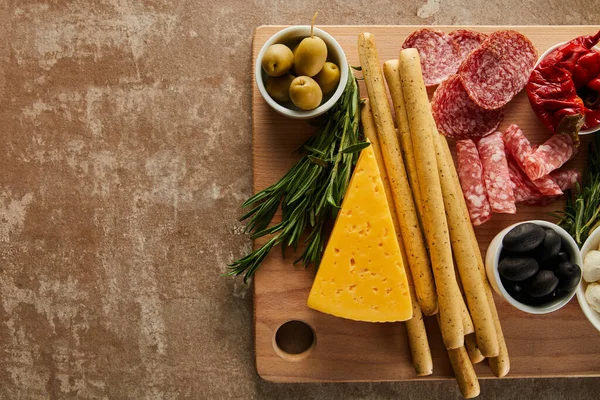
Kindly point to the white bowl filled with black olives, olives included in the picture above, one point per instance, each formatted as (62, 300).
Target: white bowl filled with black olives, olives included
(534, 265)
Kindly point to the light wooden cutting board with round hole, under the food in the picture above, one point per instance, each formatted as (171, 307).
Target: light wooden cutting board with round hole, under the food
(563, 343)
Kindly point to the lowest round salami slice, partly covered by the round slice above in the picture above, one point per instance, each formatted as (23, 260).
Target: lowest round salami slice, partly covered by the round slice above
(457, 116)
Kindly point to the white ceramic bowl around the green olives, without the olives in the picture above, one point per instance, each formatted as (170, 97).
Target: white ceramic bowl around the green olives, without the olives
(335, 54)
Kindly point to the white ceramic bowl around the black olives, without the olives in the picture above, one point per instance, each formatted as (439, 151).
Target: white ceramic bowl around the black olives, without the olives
(492, 258)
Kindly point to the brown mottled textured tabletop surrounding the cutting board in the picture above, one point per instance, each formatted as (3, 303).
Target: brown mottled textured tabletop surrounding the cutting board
(124, 156)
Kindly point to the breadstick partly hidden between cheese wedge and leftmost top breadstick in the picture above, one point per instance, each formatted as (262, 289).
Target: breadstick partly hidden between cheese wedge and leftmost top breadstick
(415, 327)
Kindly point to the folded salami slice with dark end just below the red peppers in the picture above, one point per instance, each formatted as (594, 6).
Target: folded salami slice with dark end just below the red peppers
(550, 155)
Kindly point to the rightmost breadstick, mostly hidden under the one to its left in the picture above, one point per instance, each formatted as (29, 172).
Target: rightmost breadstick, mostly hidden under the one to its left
(499, 365)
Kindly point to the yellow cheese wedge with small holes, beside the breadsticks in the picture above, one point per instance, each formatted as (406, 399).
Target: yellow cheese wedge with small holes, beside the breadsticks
(361, 276)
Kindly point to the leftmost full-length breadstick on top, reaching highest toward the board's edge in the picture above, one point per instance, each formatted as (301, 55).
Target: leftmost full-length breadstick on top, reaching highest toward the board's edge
(412, 237)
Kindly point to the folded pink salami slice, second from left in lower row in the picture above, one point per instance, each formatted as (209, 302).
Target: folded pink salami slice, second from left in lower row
(496, 174)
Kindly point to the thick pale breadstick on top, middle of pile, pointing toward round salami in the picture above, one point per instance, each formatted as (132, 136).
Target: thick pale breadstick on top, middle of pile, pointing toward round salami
(434, 216)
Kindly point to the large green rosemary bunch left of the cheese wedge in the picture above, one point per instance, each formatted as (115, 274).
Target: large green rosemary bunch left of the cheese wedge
(311, 192)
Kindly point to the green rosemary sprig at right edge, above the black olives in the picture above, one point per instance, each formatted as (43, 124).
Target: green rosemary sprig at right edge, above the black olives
(582, 211)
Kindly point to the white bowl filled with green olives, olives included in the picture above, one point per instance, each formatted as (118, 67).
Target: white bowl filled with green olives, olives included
(301, 71)
